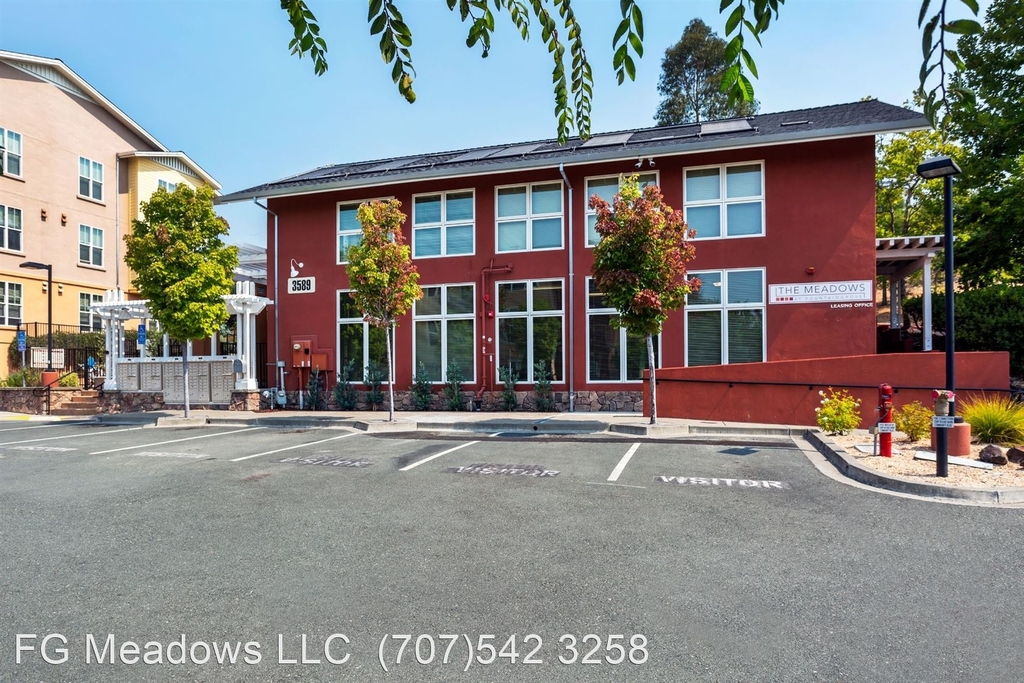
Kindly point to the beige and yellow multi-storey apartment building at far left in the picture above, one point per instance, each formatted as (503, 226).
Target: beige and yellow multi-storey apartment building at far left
(75, 170)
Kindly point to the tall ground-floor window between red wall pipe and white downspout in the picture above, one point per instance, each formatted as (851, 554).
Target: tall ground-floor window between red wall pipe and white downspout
(530, 328)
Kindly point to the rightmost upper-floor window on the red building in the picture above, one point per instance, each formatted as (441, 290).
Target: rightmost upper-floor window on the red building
(726, 201)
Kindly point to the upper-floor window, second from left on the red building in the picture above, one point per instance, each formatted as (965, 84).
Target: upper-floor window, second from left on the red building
(443, 225)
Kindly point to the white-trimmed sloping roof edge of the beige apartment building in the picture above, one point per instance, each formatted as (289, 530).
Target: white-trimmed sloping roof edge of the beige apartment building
(61, 75)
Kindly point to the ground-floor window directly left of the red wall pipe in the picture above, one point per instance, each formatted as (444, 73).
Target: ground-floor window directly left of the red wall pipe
(444, 323)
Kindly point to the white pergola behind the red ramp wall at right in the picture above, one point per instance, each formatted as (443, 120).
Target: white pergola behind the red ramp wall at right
(899, 258)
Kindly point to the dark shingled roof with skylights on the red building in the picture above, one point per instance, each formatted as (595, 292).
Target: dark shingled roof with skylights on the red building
(851, 120)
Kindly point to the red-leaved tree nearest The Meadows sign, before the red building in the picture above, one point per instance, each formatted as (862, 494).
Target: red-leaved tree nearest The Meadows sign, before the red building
(641, 263)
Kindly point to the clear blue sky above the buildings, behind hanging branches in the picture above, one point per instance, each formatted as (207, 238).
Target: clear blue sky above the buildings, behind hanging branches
(215, 79)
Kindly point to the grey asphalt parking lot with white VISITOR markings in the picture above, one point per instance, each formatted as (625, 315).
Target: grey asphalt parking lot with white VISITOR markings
(574, 559)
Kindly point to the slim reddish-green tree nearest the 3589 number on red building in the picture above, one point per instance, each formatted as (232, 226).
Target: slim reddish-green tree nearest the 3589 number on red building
(381, 274)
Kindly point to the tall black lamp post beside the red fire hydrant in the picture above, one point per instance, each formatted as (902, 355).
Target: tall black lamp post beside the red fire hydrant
(946, 168)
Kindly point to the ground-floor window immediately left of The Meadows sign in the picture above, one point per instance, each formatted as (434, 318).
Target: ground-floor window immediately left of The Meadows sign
(726, 319)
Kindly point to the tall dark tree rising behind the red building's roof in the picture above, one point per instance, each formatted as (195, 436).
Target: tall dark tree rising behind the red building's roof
(692, 80)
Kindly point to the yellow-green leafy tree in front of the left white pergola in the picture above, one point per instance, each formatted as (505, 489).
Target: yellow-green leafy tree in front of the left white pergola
(183, 266)
